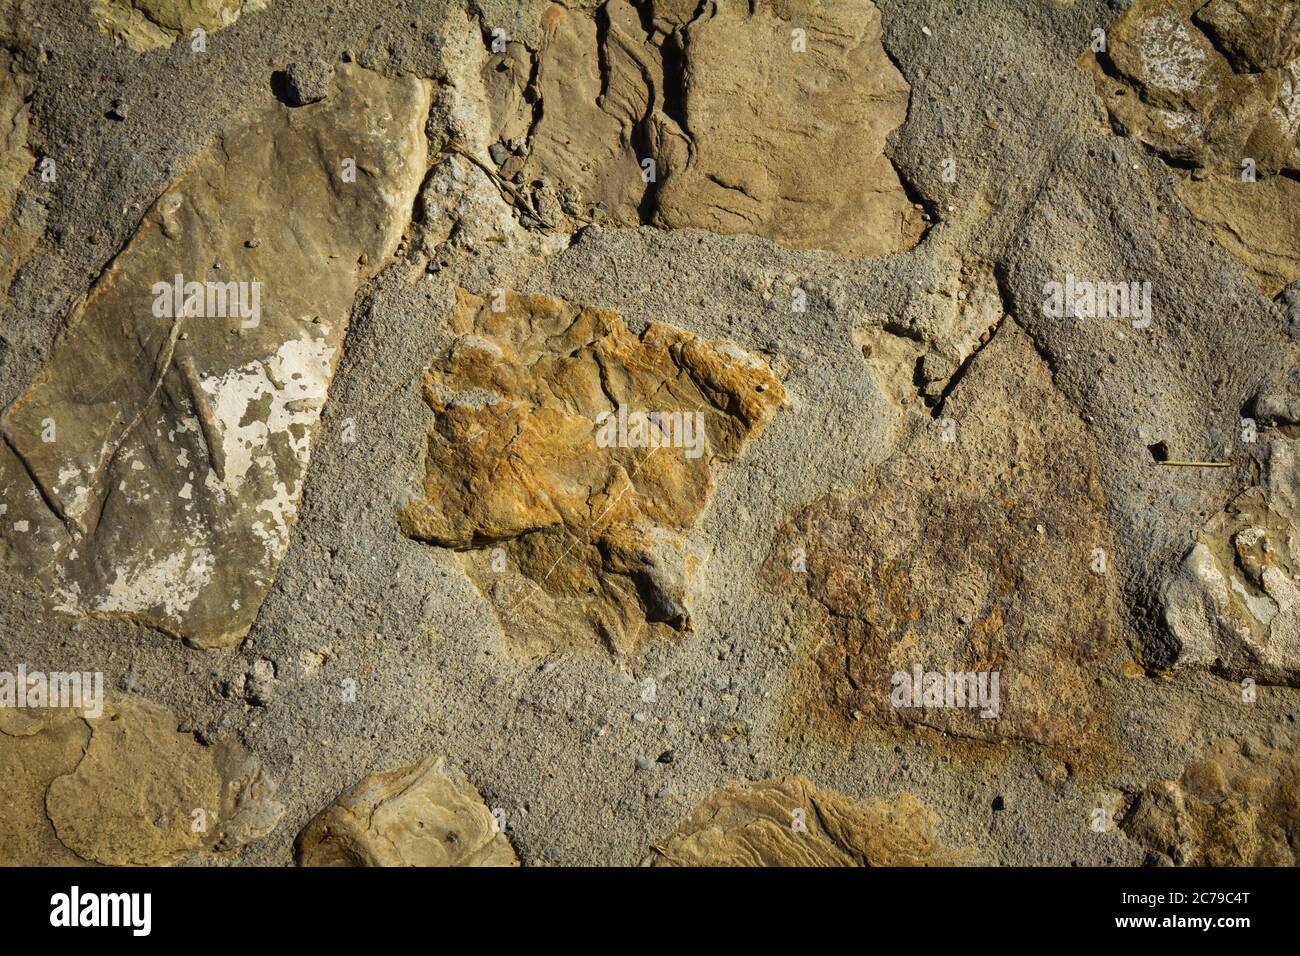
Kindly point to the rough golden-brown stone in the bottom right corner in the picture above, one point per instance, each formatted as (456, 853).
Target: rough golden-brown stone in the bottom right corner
(1240, 806)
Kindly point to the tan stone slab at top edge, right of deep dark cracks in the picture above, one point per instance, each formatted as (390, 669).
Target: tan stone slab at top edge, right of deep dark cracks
(790, 145)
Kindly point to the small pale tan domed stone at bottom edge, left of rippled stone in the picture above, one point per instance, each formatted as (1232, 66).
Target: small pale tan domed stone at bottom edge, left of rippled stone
(423, 815)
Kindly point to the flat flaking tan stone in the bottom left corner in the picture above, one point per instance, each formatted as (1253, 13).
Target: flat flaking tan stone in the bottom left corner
(124, 790)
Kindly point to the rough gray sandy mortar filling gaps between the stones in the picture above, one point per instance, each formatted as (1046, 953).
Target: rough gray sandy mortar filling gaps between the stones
(557, 745)
